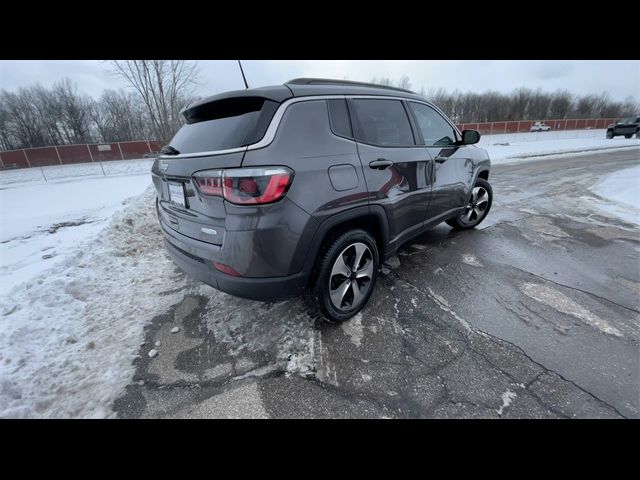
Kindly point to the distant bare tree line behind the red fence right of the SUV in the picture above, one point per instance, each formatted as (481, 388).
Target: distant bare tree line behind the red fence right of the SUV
(521, 104)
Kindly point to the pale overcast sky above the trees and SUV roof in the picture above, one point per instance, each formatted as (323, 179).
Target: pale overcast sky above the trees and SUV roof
(619, 78)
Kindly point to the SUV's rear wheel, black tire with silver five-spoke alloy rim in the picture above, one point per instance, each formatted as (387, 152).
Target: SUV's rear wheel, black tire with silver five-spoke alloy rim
(344, 276)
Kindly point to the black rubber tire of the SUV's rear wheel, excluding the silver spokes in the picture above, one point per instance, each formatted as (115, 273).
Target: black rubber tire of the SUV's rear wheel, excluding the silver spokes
(318, 297)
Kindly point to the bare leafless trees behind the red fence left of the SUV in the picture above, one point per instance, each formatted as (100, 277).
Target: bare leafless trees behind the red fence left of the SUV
(36, 116)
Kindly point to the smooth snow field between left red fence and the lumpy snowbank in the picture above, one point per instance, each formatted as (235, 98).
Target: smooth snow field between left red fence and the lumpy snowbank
(40, 222)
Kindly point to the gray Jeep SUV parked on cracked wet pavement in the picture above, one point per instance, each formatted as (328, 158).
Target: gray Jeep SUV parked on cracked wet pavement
(306, 187)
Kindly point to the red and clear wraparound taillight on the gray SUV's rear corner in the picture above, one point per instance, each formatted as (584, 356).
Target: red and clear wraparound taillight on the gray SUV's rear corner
(245, 186)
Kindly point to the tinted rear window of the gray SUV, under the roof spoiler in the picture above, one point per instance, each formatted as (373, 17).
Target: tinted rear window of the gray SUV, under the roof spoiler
(224, 124)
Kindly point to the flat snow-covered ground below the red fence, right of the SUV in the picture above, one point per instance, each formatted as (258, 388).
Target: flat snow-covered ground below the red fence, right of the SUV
(517, 147)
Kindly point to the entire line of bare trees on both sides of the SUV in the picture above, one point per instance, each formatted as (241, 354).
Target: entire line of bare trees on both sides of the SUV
(36, 116)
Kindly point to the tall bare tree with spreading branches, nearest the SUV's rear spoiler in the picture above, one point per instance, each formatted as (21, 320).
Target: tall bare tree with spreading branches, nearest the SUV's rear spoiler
(164, 86)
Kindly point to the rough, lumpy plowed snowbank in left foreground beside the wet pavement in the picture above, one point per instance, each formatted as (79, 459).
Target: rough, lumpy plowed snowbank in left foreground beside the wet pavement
(68, 338)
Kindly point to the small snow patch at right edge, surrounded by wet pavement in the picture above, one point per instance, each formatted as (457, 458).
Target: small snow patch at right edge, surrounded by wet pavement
(620, 194)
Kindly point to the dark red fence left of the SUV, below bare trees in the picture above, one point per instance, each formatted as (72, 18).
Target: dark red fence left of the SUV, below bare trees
(85, 153)
